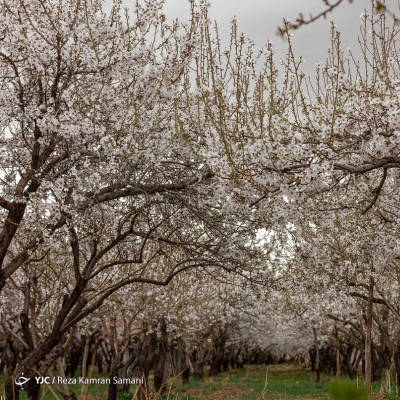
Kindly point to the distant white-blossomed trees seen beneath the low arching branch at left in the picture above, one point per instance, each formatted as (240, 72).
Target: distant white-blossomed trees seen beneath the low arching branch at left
(195, 322)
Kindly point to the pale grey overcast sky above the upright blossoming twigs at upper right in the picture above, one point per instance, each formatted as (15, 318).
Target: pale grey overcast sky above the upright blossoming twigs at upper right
(259, 20)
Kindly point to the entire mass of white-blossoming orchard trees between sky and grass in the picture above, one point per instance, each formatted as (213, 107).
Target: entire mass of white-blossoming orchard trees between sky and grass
(135, 152)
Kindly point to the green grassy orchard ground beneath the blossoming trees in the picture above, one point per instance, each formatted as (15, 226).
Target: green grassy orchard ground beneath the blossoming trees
(256, 382)
